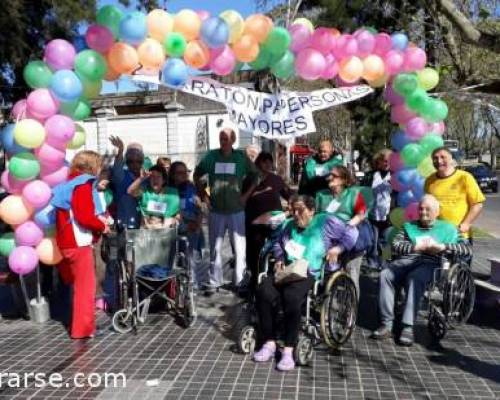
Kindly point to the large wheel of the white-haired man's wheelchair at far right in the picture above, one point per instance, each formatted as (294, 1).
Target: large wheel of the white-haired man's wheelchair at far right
(459, 294)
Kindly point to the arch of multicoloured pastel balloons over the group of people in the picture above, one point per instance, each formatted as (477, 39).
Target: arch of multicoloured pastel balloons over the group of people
(119, 44)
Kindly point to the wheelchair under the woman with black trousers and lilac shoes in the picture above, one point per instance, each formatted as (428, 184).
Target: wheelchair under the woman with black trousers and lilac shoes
(329, 314)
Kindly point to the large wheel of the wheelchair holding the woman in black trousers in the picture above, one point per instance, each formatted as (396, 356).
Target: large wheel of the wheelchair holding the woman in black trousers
(338, 310)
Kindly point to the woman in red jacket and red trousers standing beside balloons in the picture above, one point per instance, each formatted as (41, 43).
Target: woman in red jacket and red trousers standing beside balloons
(79, 223)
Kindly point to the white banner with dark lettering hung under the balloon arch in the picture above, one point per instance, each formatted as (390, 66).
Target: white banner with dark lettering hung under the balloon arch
(281, 116)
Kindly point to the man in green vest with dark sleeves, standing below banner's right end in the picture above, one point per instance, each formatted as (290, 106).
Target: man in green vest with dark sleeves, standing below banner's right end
(317, 169)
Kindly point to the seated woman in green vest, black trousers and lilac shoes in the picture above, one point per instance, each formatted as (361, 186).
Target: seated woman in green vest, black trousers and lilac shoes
(300, 251)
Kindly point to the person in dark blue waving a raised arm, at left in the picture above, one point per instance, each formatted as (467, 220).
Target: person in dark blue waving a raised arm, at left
(123, 173)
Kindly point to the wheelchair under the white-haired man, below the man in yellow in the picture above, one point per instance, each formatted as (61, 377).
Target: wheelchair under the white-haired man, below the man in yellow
(450, 296)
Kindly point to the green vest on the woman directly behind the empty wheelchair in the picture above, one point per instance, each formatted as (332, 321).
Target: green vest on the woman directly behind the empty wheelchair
(165, 204)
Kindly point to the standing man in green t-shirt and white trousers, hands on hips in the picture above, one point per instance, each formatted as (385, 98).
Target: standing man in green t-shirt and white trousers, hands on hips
(226, 169)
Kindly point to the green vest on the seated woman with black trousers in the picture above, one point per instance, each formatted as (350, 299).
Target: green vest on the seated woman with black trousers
(311, 239)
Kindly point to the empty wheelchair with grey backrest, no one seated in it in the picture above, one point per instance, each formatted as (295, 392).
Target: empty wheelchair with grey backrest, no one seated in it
(152, 263)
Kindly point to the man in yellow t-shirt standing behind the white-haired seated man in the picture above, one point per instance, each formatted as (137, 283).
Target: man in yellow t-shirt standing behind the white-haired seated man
(457, 191)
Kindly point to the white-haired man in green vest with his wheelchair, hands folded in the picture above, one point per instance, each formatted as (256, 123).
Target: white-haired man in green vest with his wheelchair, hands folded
(421, 247)
